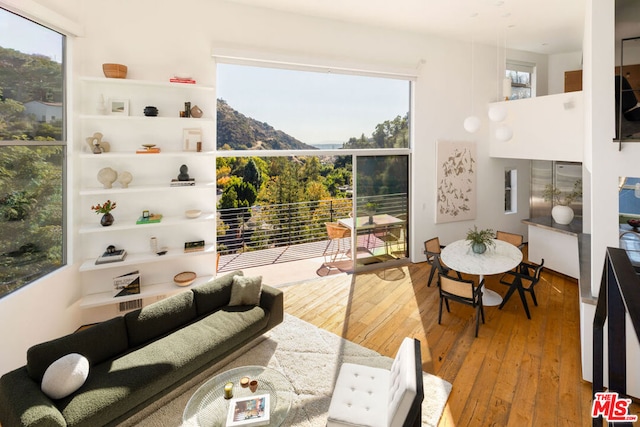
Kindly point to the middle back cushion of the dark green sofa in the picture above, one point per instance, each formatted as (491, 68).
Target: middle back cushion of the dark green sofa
(160, 318)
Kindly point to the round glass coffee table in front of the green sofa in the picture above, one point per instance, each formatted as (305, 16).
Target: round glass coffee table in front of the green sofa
(208, 407)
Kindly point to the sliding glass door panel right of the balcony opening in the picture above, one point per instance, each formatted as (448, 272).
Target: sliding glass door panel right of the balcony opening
(381, 209)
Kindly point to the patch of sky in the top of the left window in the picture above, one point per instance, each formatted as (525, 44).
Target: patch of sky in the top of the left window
(28, 37)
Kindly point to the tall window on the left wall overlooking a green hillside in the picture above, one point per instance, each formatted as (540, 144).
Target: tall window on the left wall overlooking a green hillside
(32, 152)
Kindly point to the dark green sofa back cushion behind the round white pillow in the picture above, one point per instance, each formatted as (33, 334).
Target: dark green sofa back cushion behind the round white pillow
(97, 343)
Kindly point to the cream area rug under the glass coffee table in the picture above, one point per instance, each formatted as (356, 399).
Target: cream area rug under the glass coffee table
(311, 358)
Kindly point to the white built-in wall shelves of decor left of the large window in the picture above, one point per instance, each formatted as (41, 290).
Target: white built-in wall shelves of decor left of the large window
(150, 187)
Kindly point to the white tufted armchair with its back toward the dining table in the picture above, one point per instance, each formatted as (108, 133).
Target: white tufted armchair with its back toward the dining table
(375, 397)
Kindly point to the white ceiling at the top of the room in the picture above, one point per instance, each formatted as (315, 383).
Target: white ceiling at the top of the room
(541, 26)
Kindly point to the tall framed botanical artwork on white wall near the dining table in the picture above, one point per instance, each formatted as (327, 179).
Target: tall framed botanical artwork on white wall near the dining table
(456, 181)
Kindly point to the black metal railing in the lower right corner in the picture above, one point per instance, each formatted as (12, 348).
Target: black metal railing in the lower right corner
(619, 294)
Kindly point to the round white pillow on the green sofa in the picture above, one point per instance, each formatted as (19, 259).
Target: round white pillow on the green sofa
(65, 375)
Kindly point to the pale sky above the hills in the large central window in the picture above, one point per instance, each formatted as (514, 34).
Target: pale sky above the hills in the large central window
(313, 107)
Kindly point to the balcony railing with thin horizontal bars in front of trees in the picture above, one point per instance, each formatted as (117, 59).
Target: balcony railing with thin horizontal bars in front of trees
(262, 227)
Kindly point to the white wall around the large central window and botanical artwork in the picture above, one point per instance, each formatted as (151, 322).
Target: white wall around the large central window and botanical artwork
(158, 39)
